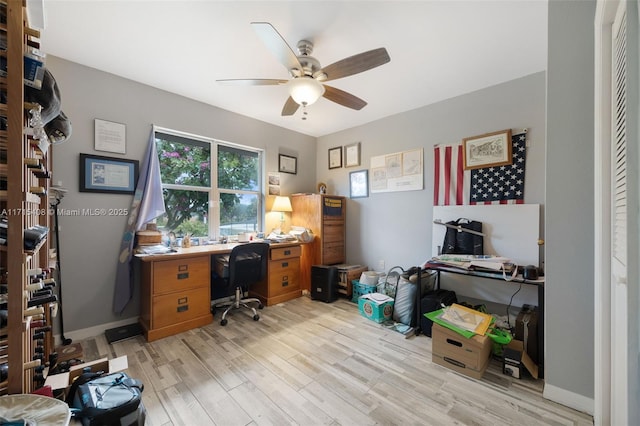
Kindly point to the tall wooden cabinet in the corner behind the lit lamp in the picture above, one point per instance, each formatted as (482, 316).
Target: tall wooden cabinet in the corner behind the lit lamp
(325, 215)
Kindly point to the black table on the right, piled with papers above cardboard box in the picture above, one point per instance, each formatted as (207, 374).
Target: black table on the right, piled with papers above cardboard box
(498, 277)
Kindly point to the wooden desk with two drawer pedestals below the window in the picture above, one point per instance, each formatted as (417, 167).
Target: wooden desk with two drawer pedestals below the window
(175, 288)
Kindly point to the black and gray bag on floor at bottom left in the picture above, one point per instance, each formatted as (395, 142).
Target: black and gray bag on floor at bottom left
(107, 399)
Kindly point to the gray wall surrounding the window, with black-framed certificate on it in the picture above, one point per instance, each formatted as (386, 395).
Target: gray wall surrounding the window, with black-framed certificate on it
(89, 246)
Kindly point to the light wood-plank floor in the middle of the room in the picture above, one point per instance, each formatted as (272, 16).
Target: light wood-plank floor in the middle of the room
(307, 362)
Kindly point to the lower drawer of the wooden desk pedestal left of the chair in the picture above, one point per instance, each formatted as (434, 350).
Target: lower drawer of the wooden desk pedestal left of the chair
(170, 309)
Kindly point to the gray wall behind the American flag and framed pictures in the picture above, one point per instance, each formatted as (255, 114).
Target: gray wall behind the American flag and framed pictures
(396, 226)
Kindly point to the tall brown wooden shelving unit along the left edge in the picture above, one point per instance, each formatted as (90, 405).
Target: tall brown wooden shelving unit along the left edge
(24, 210)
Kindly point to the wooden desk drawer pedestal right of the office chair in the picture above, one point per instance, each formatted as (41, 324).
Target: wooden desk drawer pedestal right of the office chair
(283, 276)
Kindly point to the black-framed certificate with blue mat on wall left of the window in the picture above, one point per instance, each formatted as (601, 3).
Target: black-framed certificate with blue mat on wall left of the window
(108, 174)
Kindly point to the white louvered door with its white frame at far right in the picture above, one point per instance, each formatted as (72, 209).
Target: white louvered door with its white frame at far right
(611, 189)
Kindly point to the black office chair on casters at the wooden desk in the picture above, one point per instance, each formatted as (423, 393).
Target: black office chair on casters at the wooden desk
(247, 265)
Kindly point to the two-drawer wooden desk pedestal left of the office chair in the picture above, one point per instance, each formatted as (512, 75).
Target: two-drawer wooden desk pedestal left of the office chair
(175, 294)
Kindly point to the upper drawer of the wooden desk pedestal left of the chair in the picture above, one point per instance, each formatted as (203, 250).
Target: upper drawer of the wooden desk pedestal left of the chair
(180, 274)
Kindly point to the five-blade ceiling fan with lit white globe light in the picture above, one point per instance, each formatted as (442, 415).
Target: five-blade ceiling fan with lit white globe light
(307, 76)
